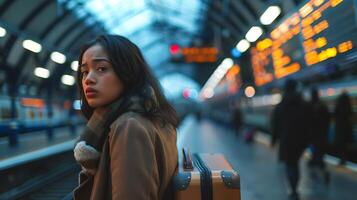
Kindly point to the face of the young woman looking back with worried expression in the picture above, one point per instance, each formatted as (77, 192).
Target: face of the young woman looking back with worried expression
(100, 83)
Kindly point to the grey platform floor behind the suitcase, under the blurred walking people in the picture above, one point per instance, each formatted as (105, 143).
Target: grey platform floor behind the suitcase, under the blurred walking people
(262, 176)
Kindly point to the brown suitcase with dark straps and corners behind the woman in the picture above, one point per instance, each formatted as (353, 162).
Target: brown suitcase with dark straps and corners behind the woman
(210, 177)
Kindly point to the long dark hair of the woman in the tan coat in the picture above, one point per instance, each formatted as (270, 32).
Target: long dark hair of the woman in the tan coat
(133, 71)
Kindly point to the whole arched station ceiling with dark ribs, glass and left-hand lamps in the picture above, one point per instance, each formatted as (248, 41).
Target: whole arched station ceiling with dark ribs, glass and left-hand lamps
(47, 34)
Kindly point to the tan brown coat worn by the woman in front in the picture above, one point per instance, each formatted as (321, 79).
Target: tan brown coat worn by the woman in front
(138, 160)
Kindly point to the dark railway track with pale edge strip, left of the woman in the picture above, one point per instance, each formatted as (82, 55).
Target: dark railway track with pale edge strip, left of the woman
(49, 174)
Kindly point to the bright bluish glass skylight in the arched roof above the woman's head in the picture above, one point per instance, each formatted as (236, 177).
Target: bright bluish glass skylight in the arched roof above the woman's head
(151, 24)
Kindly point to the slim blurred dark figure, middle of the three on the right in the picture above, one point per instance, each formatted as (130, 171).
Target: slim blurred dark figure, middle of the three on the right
(319, 133)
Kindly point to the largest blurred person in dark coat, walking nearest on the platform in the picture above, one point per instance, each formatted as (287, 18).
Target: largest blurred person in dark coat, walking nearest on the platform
(290, 124)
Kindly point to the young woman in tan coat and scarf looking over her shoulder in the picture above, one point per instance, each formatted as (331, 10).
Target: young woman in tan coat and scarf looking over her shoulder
(128, 148)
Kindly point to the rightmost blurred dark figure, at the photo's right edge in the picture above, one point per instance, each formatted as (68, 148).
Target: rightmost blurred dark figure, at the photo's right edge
(343, 125)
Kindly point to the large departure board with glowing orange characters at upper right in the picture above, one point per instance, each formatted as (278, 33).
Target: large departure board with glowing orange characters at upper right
(318, 31)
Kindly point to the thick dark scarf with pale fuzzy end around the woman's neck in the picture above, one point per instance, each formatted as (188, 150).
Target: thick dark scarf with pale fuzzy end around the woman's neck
(88, 148)
